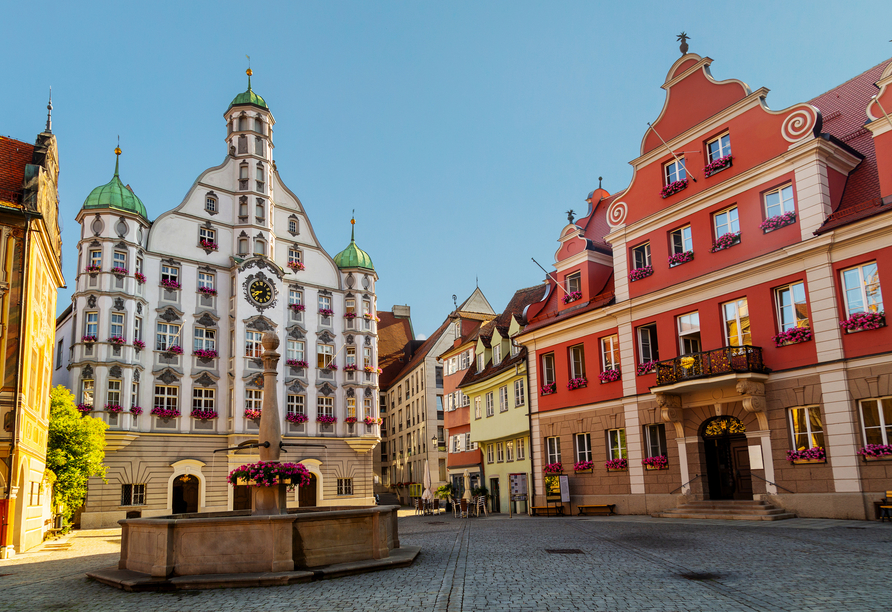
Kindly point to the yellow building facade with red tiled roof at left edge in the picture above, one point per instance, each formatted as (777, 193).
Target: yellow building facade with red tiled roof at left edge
(30, 275)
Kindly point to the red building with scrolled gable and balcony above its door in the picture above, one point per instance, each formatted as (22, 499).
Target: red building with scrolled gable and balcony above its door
(714, 336)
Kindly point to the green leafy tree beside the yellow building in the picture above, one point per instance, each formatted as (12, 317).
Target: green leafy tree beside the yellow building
(75, 450)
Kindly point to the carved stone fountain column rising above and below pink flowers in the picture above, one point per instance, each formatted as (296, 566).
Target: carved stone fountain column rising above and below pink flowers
(270, 500)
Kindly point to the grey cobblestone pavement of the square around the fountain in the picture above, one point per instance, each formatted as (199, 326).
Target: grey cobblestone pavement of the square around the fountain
(498, 564)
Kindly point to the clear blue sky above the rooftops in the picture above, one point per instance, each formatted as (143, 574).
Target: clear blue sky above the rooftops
(459, 131)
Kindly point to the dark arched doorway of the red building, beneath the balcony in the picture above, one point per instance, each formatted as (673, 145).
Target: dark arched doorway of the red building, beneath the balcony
(727, 458)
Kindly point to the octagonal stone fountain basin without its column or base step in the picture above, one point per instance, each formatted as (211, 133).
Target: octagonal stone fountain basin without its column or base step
(234, 543)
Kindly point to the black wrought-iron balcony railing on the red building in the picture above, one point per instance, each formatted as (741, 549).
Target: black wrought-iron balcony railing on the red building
(706, 364)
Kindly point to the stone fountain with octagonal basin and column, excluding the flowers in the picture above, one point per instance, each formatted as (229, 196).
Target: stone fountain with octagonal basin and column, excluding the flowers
(270, 546)
